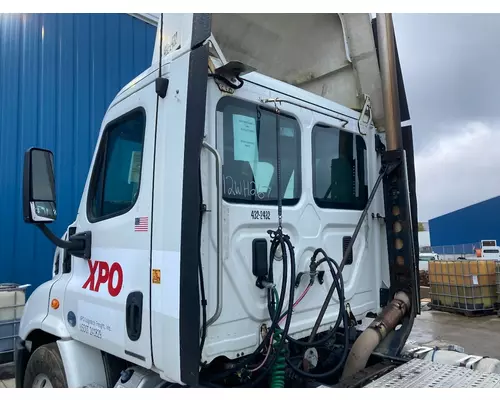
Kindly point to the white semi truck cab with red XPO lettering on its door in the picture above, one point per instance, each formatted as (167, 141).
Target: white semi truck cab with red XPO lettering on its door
(179, 248)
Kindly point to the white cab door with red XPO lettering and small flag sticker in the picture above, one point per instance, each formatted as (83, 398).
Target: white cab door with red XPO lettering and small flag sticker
(106, 303)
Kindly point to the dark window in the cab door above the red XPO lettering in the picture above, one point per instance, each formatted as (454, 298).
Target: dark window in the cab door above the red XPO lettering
(117, 171)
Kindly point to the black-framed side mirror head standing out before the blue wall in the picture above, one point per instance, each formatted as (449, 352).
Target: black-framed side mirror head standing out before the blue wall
(39, 191)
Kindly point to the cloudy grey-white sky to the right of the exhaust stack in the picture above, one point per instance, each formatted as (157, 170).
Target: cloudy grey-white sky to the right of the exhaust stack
(451, 69)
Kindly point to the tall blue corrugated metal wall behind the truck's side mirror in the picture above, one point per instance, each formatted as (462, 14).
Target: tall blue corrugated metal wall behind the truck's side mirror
(58, 74)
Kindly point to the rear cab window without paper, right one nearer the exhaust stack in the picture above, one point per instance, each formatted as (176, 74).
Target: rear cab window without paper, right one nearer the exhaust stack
(339, 169)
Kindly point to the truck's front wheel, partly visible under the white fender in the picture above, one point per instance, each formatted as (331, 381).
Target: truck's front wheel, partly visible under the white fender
(45, 368)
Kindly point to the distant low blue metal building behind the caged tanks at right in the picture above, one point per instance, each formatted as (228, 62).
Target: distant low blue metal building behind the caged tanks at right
(460, 230)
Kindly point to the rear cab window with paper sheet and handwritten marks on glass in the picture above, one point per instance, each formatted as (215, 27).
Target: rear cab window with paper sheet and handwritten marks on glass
(249, 156)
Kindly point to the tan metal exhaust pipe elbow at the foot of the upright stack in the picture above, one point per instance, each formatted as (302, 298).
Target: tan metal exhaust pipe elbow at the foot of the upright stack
(377, 331)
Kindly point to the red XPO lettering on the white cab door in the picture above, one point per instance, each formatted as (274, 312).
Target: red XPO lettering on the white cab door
(101, 274)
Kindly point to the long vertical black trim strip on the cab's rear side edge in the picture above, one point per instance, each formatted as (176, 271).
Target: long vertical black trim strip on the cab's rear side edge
(189, 324)
